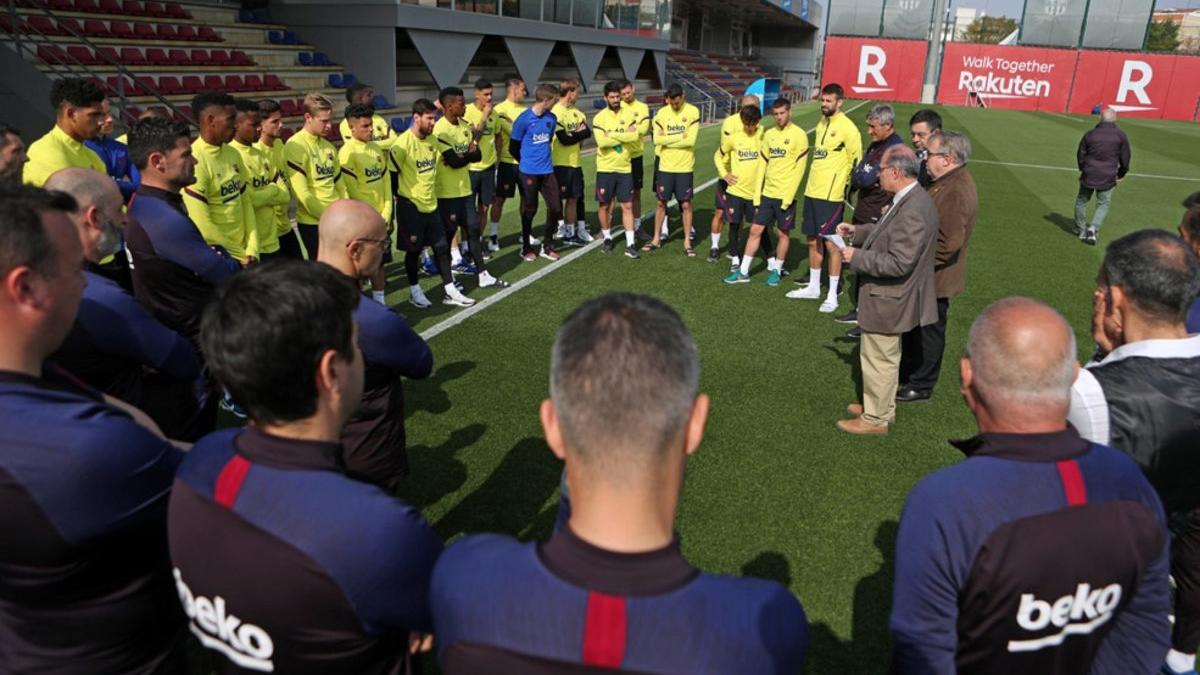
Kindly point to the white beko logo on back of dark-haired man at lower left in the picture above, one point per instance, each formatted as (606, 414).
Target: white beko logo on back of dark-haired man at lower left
(245, 644)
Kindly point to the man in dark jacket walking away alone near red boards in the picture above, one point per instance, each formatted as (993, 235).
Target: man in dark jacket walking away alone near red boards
(1103, 163)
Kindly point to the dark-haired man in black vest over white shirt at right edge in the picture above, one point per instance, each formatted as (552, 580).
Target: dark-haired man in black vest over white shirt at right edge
(1143, 396)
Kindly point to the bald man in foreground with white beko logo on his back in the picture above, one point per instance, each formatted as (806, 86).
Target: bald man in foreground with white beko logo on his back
(1042, 552)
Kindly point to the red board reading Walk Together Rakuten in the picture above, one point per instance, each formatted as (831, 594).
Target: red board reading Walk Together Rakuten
(1018, 79)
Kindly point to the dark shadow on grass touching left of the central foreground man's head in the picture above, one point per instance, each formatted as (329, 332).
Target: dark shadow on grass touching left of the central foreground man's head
(512, 498)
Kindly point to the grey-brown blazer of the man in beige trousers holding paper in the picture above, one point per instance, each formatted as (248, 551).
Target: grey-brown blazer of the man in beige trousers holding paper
(895, 262)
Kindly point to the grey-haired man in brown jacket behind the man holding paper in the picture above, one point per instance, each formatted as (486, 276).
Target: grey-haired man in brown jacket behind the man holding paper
(957, 200)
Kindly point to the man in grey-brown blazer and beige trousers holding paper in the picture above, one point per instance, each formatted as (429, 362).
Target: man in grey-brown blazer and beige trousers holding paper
(895, 262)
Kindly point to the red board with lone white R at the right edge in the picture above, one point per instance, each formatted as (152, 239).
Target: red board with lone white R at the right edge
(1136, 85)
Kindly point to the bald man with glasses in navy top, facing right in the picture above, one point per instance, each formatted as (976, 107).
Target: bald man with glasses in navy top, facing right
(353, 241)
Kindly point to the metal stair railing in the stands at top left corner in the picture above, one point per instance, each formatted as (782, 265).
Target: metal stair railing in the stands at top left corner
(27, 39)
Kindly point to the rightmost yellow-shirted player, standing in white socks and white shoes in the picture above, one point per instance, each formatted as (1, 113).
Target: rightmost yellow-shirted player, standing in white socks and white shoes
(837, 148)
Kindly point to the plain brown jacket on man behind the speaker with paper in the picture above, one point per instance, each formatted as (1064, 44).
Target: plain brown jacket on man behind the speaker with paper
(957, 201)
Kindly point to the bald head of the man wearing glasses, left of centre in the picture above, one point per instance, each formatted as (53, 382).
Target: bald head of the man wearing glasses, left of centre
(352, 238)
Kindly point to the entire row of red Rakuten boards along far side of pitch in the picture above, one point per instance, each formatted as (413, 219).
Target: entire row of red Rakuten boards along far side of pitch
(1019, 79)
